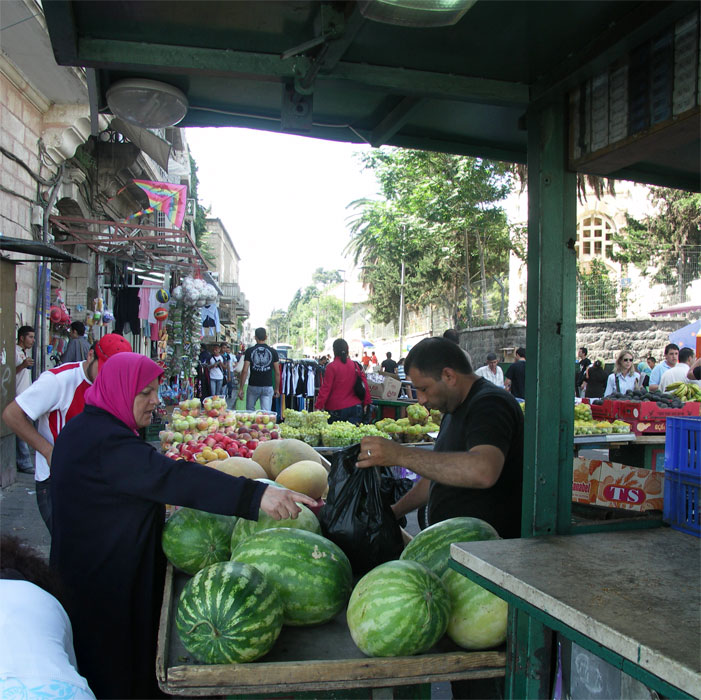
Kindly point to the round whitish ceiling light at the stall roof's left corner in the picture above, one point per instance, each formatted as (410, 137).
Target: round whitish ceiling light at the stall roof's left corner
(149, 104)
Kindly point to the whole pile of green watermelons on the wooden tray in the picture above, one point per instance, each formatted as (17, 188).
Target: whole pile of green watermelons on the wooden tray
(250, 579)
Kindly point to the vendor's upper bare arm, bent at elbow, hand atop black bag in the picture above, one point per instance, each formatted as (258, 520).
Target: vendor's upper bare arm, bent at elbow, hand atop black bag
(478, 468)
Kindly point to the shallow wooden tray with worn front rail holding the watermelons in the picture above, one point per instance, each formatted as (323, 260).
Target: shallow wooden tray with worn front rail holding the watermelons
(308, 659)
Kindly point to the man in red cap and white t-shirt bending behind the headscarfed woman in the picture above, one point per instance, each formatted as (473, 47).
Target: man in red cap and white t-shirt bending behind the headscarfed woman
(54, 398)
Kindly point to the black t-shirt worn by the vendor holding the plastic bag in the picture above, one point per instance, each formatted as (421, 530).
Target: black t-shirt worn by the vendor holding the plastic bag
(488, 416)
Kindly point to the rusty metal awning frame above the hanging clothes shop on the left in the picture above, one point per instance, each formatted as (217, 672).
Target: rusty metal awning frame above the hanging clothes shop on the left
(161, 247)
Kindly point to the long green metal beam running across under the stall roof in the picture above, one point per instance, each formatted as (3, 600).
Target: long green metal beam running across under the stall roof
(116, 54)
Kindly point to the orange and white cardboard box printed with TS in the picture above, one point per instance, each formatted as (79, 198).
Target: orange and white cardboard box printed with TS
(616, 485)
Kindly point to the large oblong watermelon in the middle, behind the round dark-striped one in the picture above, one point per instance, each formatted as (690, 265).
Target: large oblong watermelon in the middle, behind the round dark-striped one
(312, 574)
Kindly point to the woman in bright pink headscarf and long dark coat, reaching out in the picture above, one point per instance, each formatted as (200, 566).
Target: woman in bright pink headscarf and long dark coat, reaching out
(108, 490)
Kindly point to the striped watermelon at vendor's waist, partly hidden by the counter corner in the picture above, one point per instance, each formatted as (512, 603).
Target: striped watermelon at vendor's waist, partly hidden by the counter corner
(431, 546)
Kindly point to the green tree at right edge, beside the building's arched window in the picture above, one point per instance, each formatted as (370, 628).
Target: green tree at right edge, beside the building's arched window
(665, 245)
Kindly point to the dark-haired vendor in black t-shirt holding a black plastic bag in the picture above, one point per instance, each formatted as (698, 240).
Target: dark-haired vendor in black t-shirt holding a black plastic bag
(476, 468)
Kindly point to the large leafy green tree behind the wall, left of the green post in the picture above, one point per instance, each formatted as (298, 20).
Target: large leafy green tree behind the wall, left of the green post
(439, 214)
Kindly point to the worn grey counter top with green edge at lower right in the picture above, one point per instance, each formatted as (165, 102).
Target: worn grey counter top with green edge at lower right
(631, 597)
